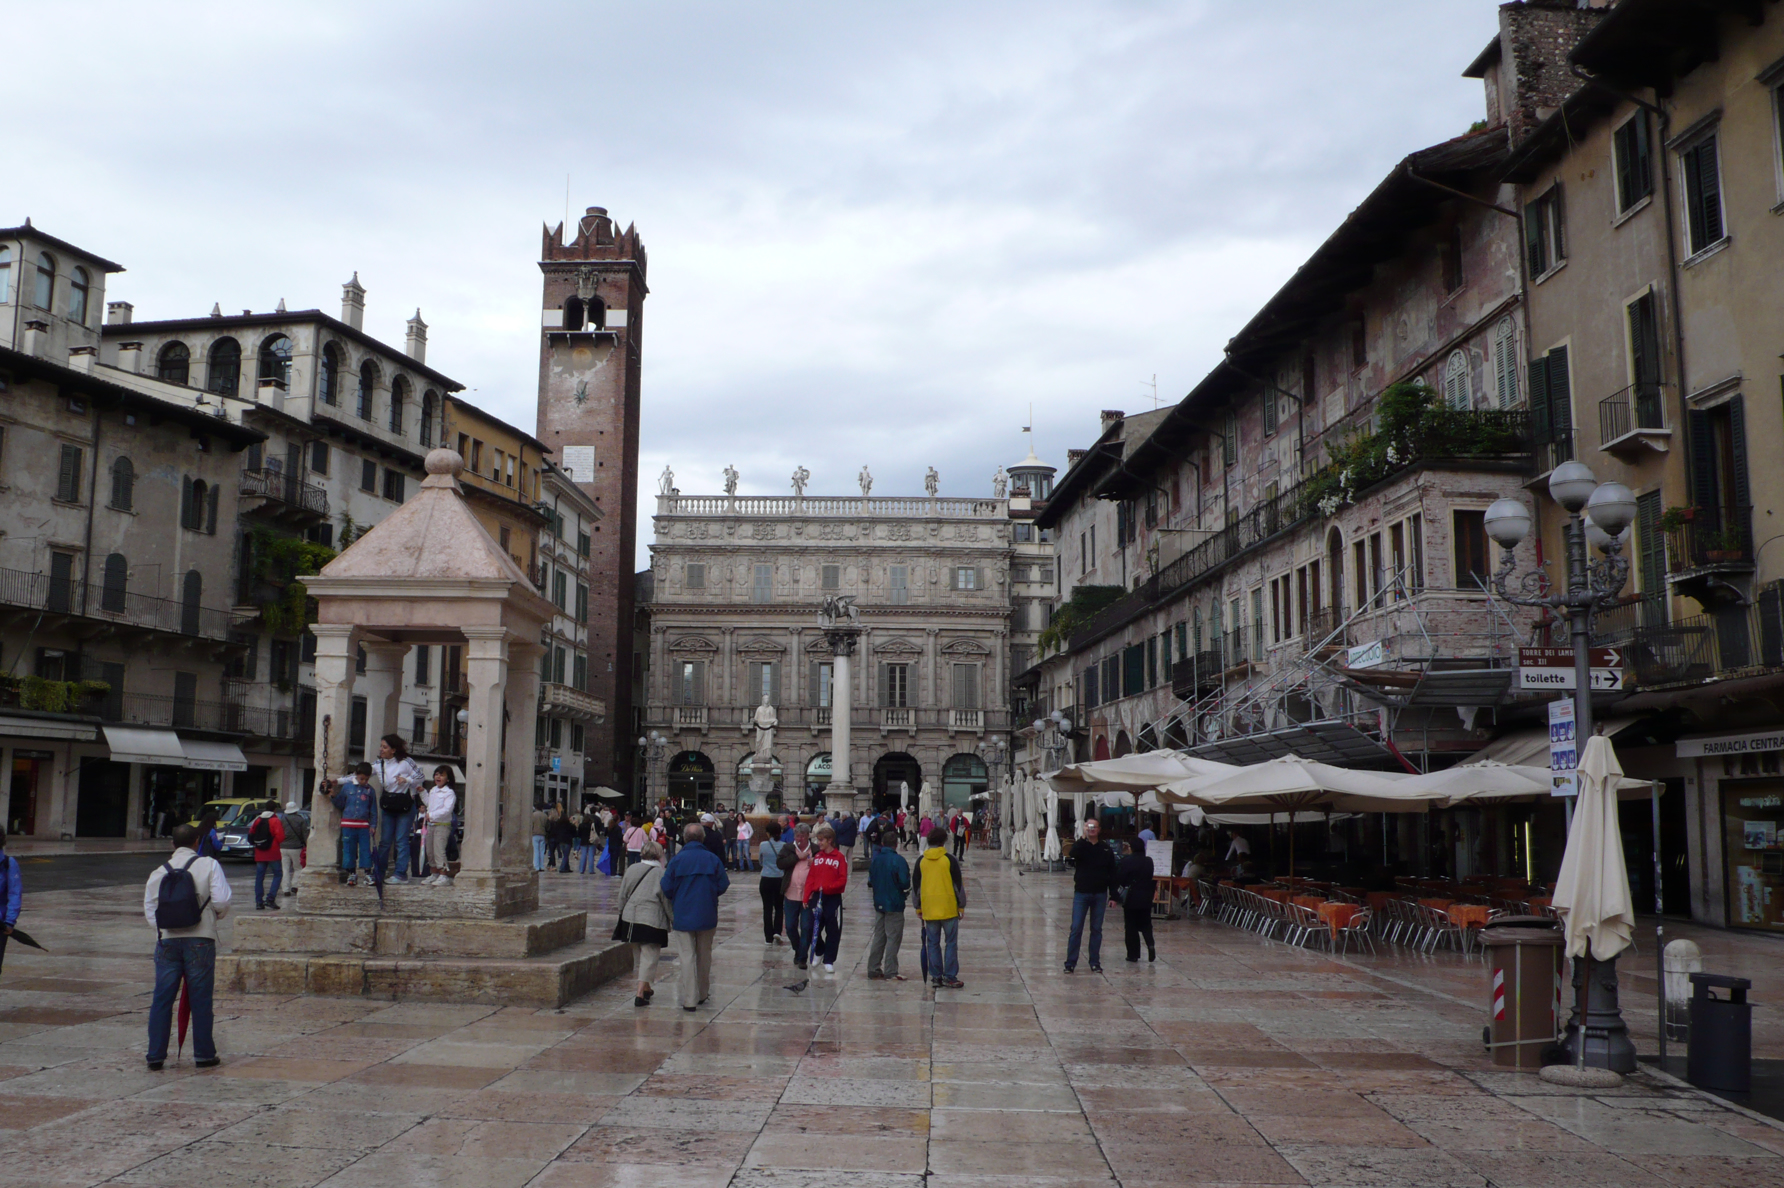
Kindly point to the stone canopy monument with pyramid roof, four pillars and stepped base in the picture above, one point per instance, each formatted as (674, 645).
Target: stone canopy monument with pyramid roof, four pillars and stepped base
(429, 575)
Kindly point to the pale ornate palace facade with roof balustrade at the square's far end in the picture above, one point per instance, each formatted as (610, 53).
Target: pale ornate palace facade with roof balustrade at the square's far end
(736, 590)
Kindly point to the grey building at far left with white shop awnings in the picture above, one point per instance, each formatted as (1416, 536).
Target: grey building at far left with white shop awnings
(119, 509)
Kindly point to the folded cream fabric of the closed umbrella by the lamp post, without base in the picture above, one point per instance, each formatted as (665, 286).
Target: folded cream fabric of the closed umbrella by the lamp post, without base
(1594, 882)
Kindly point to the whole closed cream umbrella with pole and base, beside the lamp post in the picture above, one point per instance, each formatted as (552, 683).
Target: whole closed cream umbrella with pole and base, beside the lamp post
(1599, 916)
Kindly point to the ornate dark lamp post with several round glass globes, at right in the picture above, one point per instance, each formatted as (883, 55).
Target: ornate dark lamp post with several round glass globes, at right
(1598, 518)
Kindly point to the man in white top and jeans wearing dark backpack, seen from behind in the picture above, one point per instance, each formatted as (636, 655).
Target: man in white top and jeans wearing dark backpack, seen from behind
(183, 902)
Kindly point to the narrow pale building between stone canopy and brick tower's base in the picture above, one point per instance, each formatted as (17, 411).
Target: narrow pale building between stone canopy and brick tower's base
(566, 707)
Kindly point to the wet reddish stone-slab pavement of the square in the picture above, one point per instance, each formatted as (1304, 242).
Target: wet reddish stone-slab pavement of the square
(1228, 1062)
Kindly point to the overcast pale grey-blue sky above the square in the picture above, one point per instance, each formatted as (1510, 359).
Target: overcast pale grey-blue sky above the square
(877, 233)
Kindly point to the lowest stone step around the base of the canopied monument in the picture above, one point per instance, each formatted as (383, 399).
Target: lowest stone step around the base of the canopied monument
(547, 980)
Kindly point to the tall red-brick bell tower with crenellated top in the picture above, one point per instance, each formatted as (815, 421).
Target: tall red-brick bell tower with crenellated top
(590, 349)
